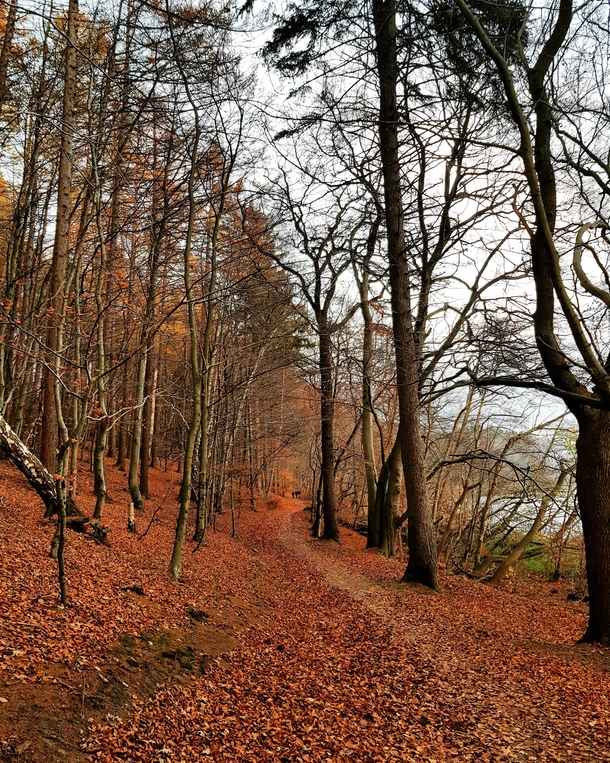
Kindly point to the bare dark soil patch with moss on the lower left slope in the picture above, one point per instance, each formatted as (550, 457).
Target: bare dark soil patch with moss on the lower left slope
(46, 720)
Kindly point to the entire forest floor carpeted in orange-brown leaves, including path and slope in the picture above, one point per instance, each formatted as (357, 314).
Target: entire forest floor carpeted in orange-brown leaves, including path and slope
(277, 647)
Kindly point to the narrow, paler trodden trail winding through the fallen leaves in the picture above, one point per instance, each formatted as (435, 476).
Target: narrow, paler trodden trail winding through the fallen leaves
(518, 722)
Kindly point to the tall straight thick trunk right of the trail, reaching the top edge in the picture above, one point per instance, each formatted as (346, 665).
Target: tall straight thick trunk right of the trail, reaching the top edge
(422, 566)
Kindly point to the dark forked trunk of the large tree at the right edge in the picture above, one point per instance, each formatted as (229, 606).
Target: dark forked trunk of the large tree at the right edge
(593, 444)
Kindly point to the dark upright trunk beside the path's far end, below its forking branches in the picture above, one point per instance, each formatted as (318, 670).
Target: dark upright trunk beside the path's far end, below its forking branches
(327, 410)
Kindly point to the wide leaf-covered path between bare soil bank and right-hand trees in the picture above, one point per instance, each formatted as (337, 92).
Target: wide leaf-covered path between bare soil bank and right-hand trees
(352, 665)
